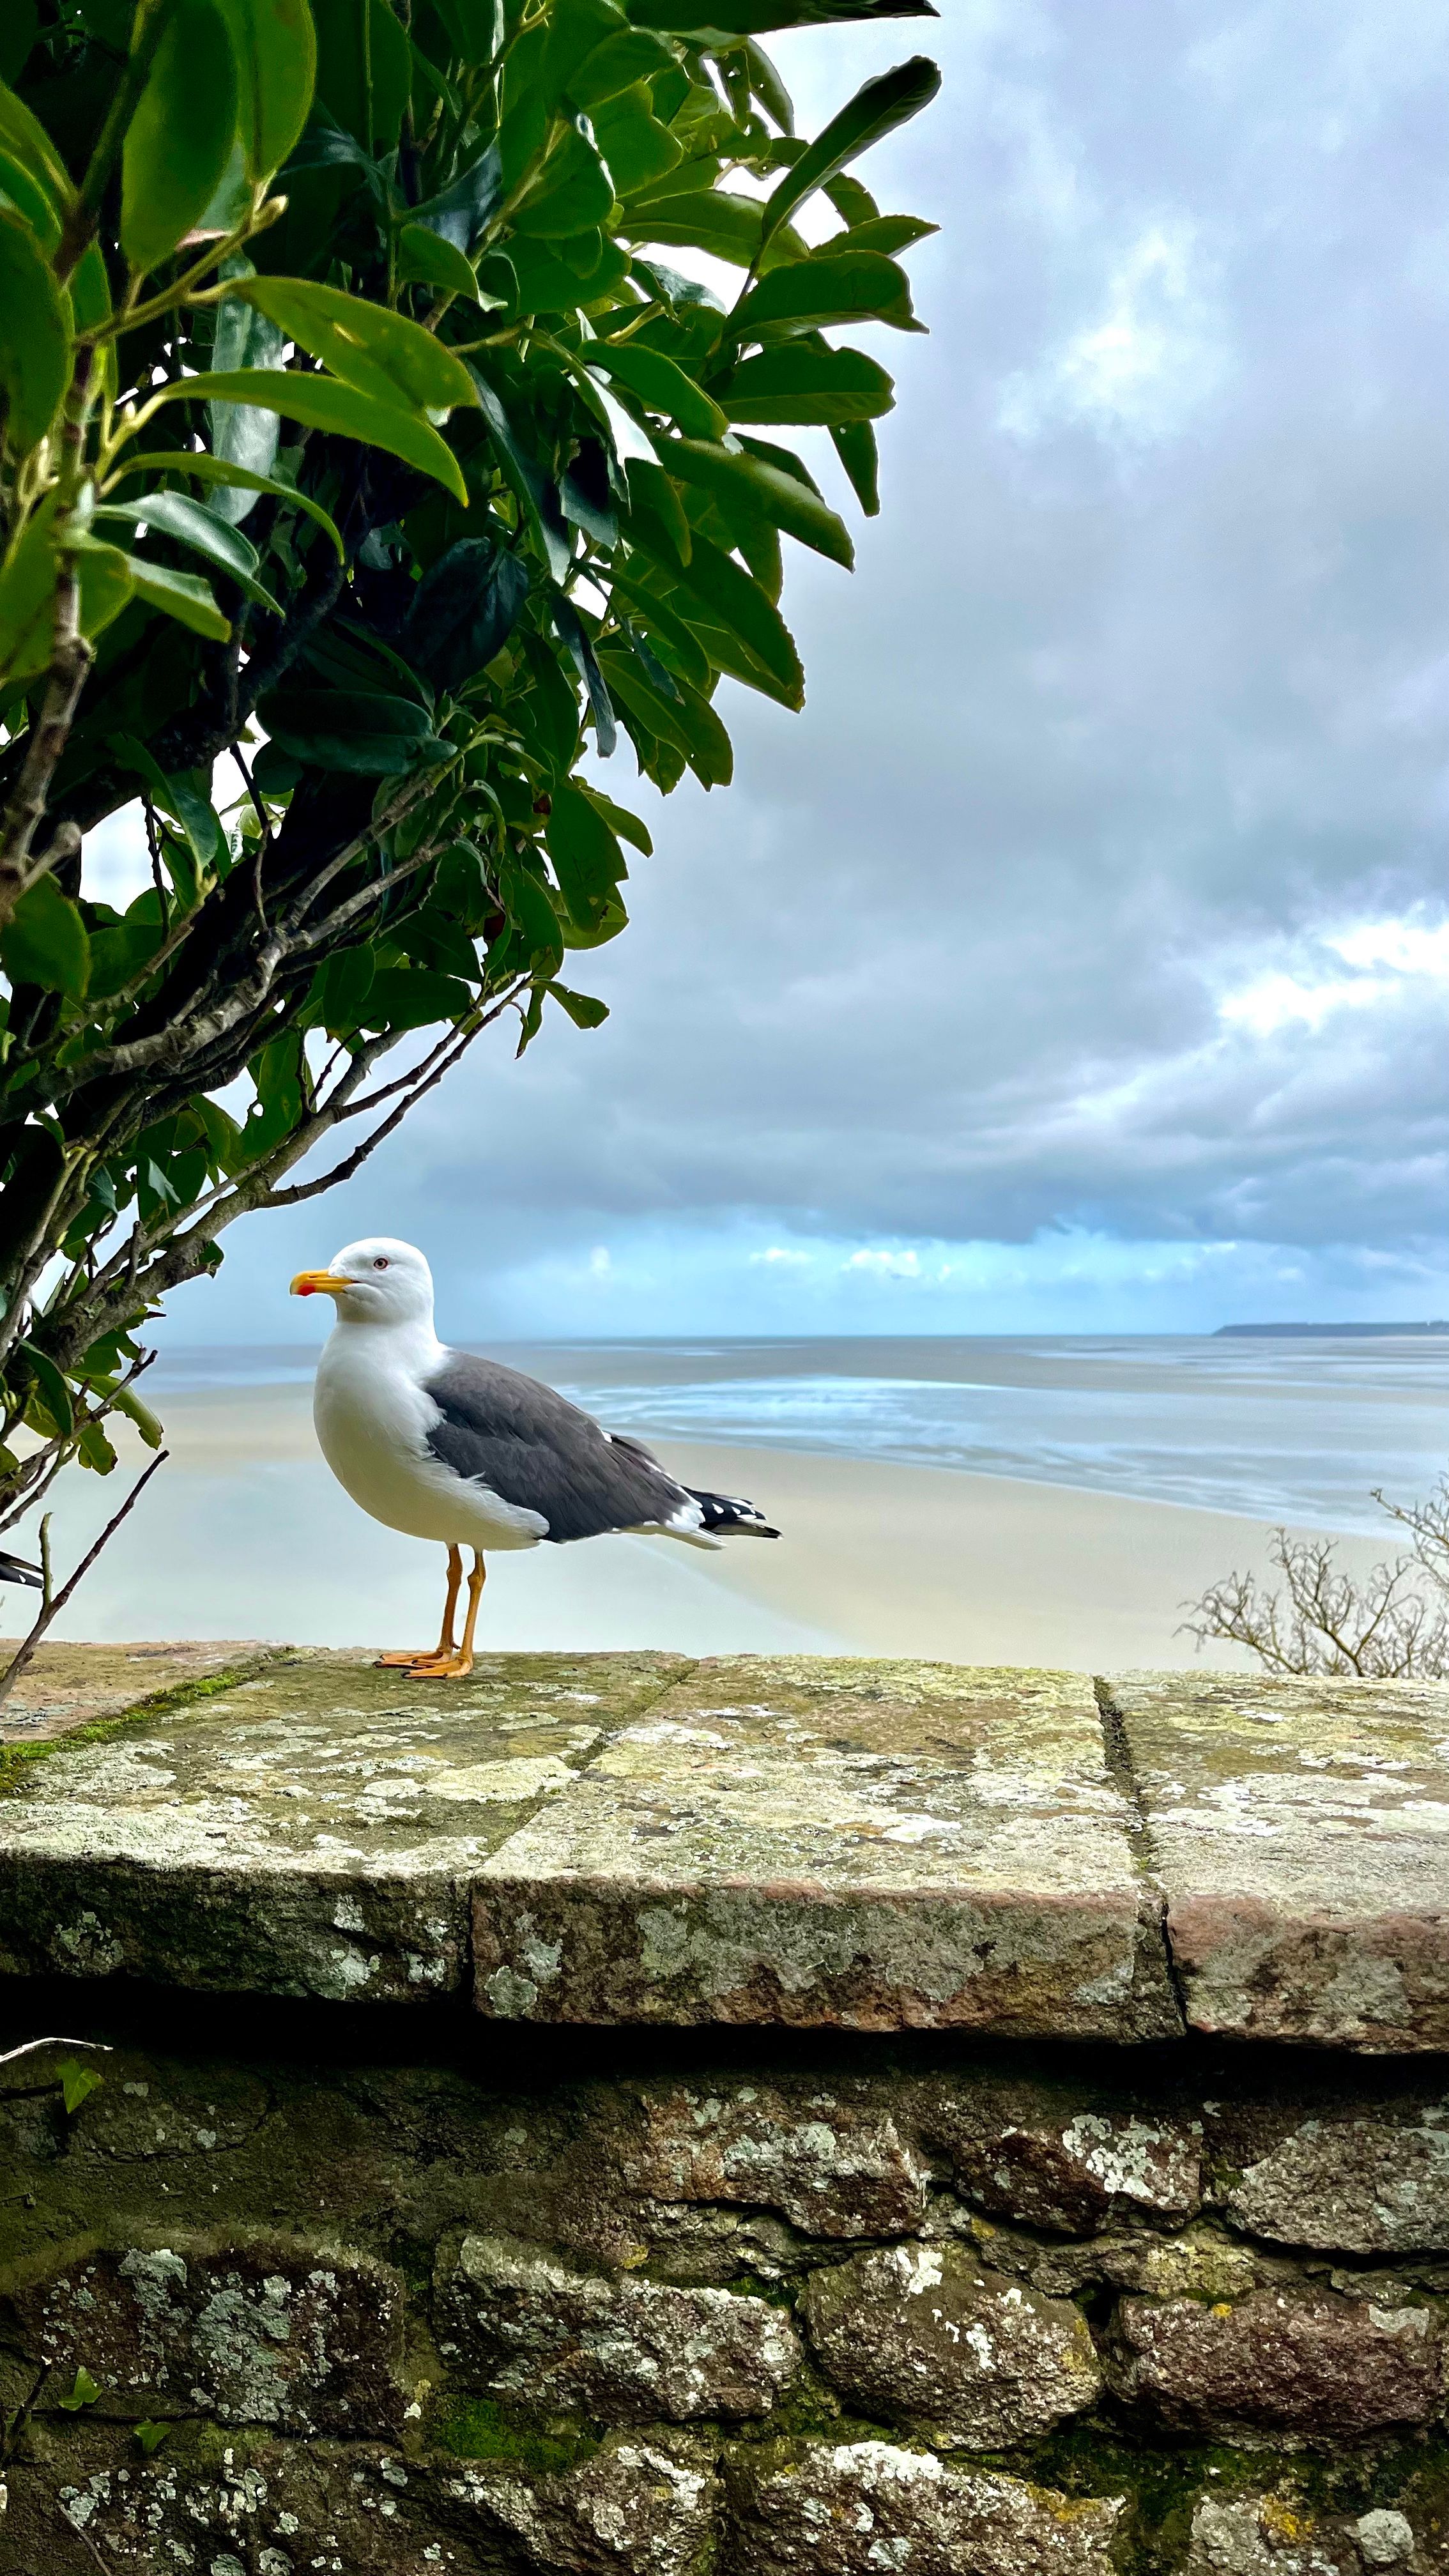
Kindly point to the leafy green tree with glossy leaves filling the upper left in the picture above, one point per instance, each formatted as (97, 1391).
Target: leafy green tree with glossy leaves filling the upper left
(362, 447)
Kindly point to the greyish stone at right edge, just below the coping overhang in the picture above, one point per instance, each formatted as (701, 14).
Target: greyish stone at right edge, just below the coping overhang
(1370, 2186)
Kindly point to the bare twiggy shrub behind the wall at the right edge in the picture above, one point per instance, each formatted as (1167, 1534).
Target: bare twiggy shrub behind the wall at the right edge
(1388, 1627)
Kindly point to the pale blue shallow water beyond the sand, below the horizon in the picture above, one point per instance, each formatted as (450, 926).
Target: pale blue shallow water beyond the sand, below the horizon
(1280, 1431)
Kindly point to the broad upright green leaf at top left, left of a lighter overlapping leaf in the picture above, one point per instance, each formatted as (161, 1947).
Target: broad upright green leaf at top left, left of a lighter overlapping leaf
(182, 135)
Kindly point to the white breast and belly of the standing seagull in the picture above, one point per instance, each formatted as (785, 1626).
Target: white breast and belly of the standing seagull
(373, 1423)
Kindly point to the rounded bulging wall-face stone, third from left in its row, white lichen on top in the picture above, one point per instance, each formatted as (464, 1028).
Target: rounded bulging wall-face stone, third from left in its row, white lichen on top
(927, 2338)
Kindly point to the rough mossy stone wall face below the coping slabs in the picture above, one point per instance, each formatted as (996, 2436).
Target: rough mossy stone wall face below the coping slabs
(641, 2307)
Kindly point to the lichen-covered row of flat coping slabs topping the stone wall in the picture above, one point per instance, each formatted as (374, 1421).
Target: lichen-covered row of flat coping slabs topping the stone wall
(795, 1841)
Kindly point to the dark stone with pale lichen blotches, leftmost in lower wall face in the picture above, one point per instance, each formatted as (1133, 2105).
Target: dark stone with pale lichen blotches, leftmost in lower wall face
(249, 2335)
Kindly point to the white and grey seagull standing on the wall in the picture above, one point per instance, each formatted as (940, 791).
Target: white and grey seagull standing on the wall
(450, 1446)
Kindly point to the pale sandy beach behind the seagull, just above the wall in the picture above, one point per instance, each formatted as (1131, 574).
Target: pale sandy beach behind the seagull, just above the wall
(246, 1534)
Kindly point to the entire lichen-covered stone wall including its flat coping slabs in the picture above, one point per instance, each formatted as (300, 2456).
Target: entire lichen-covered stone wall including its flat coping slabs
(501, 2165)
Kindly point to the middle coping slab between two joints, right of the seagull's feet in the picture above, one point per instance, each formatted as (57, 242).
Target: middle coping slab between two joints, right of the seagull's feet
(837, 1843)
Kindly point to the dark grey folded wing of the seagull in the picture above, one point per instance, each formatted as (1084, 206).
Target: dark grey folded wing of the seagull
(540, 1452)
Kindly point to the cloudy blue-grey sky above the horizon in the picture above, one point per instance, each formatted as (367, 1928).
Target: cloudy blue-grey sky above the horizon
(1079, 960)
